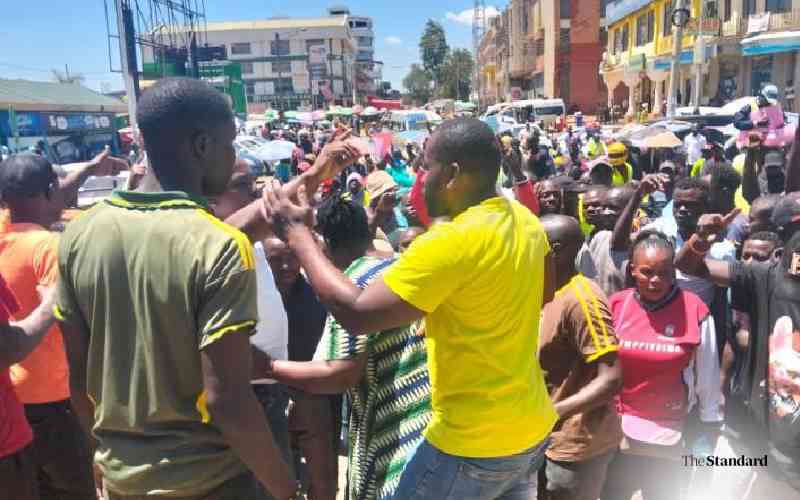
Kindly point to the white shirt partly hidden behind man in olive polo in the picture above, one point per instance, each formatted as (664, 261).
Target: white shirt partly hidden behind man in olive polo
(272, 331)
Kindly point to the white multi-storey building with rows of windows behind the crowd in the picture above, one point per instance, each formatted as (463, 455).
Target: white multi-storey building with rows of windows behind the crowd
(288, 63)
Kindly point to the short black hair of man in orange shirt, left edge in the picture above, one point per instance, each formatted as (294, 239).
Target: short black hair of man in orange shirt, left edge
(26, 175)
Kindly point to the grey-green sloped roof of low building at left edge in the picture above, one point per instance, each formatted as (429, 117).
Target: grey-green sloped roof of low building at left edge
(28, 95)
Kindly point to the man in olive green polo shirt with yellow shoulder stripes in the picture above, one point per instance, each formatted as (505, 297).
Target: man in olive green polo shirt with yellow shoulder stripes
(157, 299)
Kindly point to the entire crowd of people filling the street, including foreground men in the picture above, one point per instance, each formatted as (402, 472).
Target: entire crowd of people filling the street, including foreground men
(476, 317)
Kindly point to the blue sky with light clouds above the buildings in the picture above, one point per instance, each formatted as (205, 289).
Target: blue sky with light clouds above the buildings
(37, 36)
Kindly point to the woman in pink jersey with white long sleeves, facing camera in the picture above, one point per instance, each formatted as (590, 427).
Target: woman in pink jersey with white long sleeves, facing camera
(670, 370)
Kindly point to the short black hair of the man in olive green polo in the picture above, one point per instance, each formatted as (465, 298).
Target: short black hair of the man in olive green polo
(174, 108)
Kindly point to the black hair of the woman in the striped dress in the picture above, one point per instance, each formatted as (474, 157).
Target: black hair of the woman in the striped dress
(342, 223)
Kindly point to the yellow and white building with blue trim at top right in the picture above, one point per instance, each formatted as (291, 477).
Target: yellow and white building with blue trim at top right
(751, 43)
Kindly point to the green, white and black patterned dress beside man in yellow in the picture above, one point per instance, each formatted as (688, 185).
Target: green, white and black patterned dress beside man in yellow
(391, 405)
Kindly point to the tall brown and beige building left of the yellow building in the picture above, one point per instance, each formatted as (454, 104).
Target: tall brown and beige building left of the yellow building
(544, 48)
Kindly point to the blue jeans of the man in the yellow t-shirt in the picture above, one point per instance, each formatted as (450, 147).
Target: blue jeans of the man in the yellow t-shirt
(435, 475)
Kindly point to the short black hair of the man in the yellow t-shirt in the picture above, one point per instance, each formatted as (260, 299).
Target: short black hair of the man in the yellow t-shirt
(470, 143)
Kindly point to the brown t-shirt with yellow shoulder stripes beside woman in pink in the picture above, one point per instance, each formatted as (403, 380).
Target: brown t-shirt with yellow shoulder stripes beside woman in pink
(576, 329)
